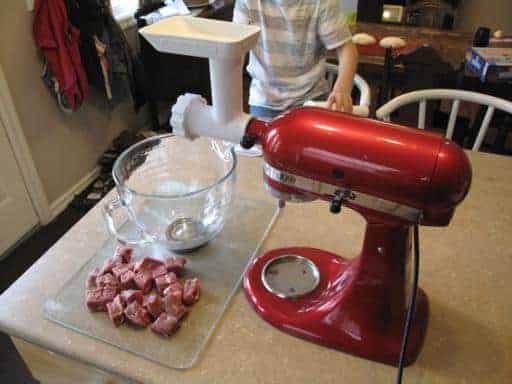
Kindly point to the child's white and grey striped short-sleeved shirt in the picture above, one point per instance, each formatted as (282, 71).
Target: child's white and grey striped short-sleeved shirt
(287, 65)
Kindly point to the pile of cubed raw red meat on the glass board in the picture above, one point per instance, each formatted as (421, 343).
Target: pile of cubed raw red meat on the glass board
(111, 289)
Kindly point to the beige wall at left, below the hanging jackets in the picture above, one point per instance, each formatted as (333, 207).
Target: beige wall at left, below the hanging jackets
(65, 147)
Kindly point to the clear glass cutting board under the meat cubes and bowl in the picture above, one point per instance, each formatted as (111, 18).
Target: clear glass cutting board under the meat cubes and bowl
(219, 265)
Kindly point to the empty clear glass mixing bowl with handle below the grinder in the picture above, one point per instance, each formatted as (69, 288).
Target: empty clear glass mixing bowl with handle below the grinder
(173, 191)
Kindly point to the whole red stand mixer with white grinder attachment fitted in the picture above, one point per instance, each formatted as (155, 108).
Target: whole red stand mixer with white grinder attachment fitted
(396, 177)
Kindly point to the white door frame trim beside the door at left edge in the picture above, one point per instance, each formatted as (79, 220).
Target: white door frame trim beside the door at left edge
(22, 154)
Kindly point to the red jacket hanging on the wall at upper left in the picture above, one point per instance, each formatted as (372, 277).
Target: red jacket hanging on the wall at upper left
(59, 41)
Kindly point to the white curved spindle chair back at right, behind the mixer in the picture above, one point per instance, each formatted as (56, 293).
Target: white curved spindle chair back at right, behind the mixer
(492, 103)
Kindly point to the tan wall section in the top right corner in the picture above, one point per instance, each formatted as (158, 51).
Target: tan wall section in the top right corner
(495, 14)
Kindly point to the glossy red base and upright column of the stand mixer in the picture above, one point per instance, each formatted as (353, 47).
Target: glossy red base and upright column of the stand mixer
(358, 307)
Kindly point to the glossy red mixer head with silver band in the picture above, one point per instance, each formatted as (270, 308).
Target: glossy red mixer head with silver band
(388, 172)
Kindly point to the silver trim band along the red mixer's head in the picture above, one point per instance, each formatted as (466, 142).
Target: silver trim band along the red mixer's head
(357, 198)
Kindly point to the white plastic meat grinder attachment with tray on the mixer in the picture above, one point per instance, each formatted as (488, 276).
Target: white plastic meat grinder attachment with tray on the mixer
(225, 45)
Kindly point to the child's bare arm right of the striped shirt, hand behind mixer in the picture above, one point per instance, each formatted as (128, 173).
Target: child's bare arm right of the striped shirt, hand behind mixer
(340, 98)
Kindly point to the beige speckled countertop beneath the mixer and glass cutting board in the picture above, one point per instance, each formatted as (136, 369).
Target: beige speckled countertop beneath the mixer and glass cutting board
(465, 269)
